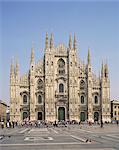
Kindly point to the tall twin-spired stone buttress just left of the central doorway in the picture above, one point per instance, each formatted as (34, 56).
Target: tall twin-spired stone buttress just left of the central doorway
(50, 113)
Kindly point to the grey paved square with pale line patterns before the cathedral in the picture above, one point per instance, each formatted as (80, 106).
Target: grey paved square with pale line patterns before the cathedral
(73, 137)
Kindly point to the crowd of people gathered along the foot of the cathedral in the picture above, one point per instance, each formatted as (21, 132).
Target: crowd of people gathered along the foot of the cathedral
(62, 123)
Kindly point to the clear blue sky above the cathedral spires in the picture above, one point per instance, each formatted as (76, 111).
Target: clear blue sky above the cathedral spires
(23, 24)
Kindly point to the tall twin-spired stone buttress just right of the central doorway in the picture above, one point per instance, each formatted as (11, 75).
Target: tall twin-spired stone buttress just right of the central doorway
(73, 78)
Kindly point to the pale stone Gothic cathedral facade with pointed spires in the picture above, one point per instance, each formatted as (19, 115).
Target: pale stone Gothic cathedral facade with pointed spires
(61, 87)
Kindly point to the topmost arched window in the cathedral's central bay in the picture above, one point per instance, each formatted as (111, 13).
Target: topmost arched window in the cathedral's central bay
(61, 66)
